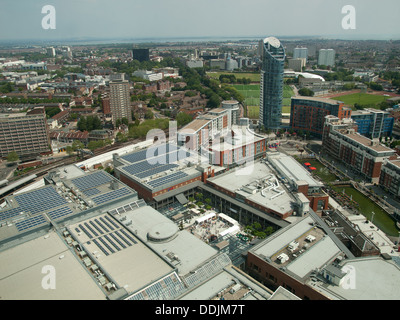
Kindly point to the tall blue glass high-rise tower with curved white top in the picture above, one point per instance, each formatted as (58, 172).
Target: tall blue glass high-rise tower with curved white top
(271, 84)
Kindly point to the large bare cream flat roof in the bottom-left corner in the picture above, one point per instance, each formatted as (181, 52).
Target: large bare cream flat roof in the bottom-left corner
(23, 268)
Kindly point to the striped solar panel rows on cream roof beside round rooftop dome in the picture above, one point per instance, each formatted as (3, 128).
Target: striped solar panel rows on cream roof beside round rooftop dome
(107, 235)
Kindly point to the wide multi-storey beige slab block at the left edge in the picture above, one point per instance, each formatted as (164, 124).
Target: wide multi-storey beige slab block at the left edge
(25, 133)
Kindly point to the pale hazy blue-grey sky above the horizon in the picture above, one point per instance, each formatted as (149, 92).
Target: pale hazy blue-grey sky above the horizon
(135, 19)
